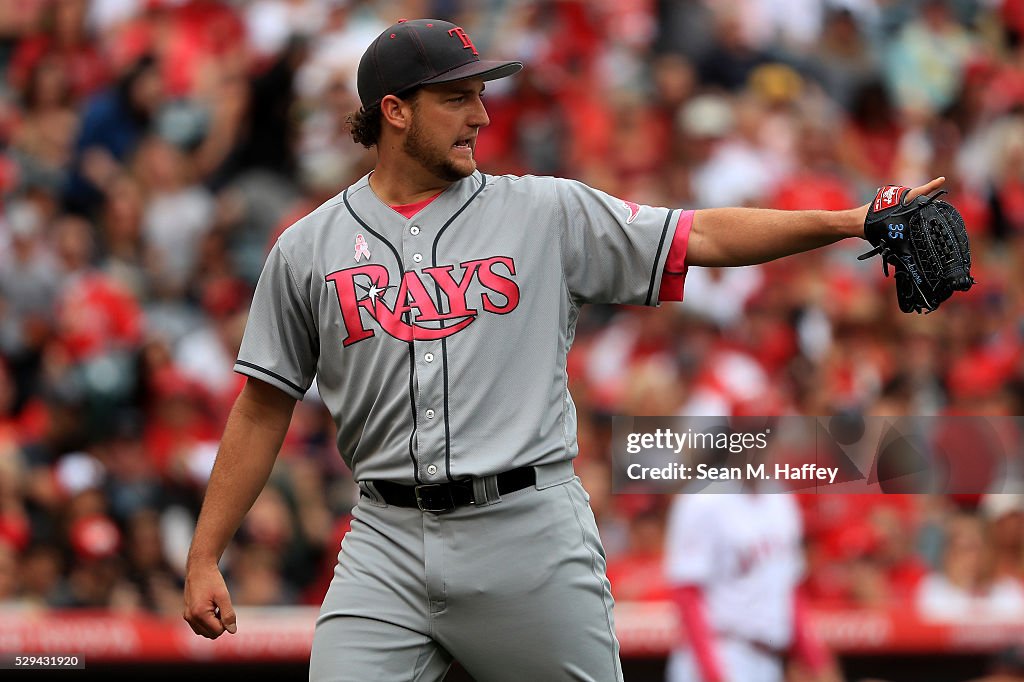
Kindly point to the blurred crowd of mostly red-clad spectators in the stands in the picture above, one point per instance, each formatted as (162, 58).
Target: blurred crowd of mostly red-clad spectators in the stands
(151, 152)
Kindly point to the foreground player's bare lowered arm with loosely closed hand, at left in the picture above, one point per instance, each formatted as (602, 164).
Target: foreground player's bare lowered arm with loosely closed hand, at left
(253, 436)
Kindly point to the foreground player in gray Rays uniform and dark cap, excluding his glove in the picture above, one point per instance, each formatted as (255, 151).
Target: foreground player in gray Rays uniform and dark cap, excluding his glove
(436, 306)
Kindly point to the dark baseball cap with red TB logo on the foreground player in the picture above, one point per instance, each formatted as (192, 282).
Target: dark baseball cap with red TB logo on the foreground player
(417, 53)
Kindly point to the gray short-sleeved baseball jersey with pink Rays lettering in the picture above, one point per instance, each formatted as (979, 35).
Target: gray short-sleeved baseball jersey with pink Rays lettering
(440, 343)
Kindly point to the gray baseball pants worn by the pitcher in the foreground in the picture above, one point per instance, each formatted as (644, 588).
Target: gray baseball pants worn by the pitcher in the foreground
(515, 589)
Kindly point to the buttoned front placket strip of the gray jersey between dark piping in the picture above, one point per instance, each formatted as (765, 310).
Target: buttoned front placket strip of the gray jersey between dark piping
(429, 361)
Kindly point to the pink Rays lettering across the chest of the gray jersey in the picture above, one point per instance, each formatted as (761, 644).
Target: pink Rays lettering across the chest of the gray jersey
(414, 315)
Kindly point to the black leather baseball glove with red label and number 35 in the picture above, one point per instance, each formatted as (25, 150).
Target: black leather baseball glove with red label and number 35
(926, 243)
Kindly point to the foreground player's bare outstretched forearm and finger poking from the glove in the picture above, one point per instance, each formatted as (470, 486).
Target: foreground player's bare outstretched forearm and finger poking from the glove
(731, 237)
